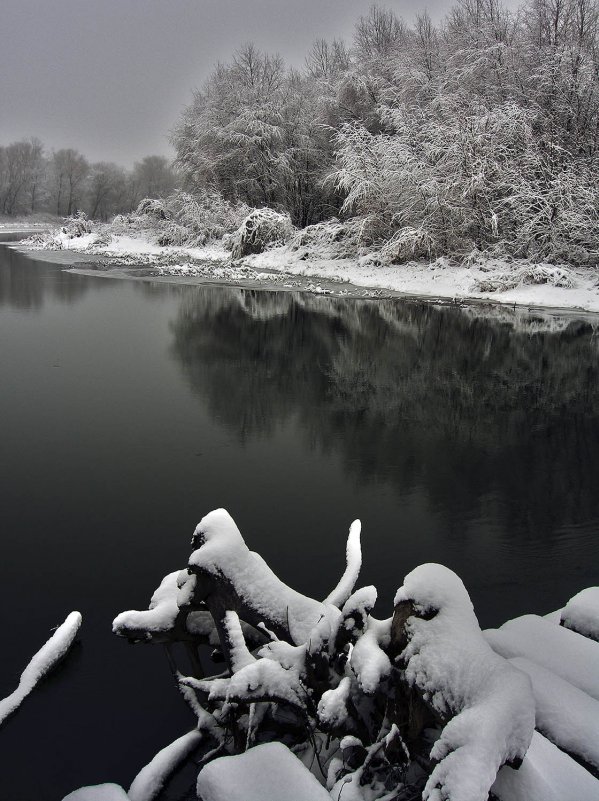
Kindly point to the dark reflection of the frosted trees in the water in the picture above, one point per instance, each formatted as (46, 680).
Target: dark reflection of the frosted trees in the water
(492, 417)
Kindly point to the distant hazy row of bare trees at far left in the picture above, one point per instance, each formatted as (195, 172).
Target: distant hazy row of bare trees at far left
(63, 182)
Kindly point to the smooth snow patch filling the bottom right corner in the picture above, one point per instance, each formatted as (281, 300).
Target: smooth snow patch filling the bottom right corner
(546, 774)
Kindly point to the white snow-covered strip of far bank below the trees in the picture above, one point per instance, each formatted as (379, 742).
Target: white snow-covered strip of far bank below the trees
(513, 283)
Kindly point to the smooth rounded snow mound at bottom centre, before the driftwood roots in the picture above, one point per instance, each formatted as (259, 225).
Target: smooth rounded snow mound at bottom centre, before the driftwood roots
(268, 772)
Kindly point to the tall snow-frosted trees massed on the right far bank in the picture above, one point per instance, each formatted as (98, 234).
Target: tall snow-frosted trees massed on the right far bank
(480, 131)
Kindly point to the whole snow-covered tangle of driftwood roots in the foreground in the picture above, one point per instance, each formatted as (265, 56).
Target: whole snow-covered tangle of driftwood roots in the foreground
(374, 709)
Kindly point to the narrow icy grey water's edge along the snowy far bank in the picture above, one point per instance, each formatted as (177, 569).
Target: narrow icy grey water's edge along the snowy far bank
(250, 274)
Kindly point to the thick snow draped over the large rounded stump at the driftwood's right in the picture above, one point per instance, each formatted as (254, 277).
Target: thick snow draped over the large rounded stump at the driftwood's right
(488, 701)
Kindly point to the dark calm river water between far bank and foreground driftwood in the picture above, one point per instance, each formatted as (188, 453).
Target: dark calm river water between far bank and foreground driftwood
(128, 410)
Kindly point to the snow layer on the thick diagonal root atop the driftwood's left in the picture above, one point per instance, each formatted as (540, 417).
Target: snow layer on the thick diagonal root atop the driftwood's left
(223, 552)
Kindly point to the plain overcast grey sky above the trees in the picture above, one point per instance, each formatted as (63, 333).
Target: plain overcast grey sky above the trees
(110, 77)
